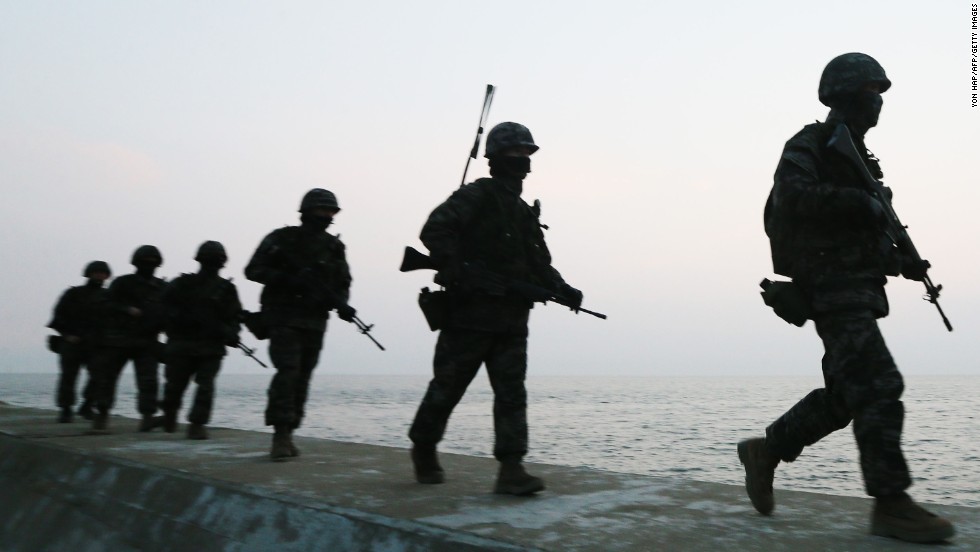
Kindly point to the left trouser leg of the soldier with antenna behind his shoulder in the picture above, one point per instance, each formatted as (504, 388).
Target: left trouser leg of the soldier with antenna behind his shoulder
(458, 356)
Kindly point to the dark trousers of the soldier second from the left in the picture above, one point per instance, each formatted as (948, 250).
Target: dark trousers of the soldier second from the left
(108, 364)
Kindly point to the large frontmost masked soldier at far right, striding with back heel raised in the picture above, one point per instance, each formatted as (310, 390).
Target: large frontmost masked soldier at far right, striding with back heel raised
(826, 233)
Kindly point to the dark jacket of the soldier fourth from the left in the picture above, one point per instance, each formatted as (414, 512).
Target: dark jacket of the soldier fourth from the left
(300, 271)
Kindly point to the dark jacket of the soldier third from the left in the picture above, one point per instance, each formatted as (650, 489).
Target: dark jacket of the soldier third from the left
(202, 315)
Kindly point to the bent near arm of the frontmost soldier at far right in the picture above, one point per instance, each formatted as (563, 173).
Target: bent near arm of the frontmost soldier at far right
(800, 192)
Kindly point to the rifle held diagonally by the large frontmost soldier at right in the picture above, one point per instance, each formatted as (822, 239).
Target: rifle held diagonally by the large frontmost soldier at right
(842, 143)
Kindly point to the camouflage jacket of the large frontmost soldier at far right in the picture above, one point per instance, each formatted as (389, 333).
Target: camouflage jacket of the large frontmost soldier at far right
(821, 225)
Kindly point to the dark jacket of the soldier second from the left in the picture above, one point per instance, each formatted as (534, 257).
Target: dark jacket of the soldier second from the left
(121, 329)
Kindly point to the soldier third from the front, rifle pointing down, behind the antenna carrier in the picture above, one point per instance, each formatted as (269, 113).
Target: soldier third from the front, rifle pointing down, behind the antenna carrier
(305, 274)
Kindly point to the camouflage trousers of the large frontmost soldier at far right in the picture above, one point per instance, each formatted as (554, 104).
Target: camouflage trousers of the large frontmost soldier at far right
(862, 384)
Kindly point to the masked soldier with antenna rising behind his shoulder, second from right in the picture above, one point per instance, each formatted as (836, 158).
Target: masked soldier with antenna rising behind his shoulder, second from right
(486, 224)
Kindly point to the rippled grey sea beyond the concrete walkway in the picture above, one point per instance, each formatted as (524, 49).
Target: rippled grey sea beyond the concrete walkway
(676, 427)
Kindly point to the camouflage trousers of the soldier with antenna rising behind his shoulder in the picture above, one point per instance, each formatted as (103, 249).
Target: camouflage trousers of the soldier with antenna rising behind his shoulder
(459, 354)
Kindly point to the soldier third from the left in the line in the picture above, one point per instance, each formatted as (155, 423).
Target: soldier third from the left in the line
(202, 317)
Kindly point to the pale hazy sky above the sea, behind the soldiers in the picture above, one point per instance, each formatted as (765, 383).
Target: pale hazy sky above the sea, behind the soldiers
(660, 125)
